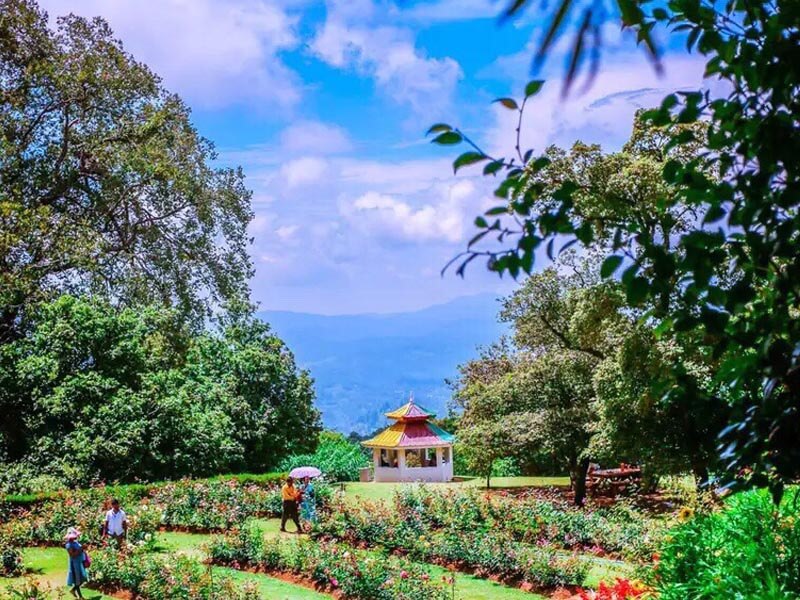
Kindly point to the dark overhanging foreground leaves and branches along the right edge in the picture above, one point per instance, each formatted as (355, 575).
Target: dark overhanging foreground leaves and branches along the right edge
(733, 276)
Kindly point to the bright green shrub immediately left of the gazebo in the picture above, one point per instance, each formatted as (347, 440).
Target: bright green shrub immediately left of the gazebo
(337, 458)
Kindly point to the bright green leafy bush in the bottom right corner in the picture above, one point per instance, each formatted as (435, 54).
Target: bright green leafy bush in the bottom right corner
(748, 549)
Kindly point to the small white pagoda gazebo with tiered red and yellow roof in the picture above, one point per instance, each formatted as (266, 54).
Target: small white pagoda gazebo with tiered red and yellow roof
(413, 448)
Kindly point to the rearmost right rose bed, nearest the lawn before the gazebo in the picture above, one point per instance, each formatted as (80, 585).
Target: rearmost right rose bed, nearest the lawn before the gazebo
(619, 531)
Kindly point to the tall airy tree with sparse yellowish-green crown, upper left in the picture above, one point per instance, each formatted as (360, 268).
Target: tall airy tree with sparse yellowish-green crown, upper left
(105, 186)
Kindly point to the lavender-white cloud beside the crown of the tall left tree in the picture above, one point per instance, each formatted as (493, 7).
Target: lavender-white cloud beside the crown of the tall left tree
(212, 53)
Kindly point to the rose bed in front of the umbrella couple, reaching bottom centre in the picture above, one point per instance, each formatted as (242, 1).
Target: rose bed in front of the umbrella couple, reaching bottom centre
(333, 566)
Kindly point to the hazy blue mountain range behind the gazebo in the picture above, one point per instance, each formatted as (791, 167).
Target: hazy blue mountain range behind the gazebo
(365, 365)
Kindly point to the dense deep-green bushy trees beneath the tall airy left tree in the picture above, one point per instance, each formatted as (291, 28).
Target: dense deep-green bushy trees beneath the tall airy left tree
(103, 394)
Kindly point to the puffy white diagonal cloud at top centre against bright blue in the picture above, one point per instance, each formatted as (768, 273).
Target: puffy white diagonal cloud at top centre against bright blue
(388, 54)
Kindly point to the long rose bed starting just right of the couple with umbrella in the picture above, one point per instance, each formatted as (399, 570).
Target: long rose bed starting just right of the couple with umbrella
(487, 553)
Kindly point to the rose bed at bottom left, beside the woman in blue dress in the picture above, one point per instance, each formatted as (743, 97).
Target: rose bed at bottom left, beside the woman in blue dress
(153, 577)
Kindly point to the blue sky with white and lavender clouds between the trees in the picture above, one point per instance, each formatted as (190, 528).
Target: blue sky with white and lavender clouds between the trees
(325, 105)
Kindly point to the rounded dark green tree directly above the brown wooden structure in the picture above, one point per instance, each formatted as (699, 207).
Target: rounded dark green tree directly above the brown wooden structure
(637, 424)
